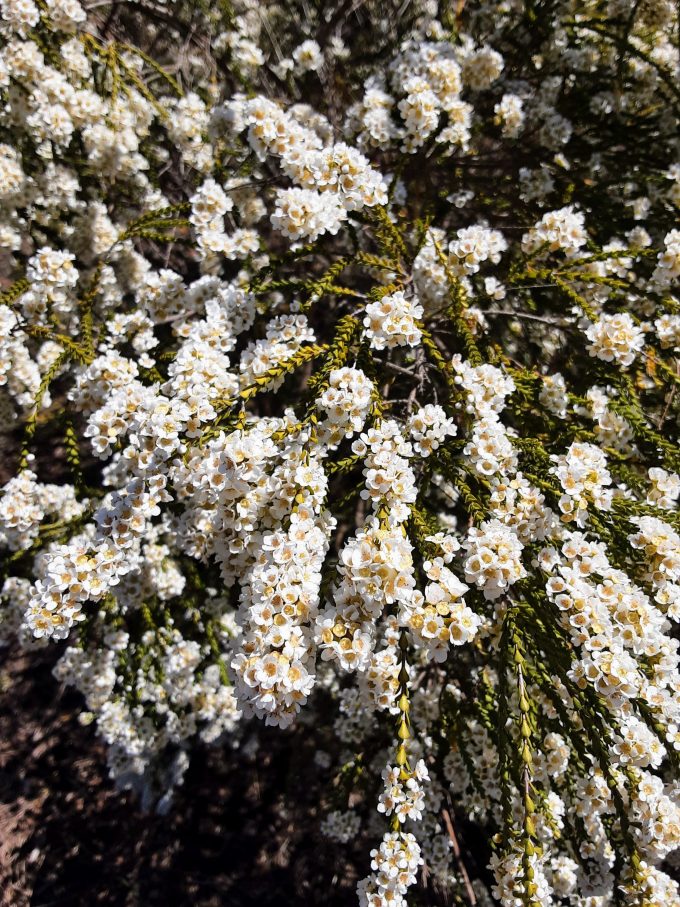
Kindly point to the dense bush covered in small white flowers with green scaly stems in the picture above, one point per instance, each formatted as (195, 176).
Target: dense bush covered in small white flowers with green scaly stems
(339, 347)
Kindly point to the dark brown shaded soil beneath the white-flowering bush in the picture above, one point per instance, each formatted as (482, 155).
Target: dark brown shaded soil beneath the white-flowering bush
(68, 838)
